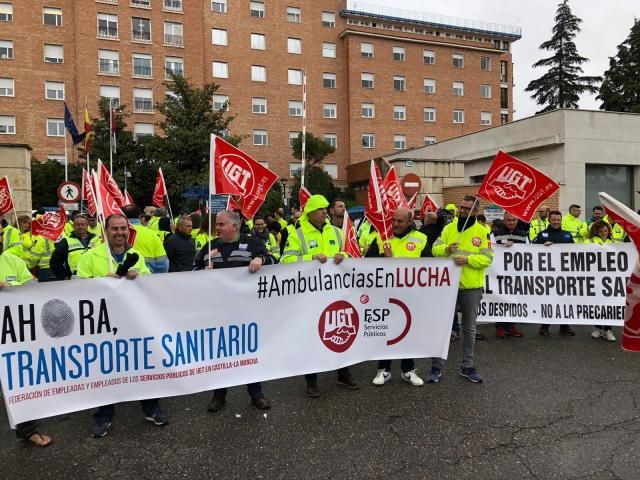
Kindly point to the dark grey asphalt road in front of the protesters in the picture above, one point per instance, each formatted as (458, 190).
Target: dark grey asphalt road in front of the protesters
(550, 408)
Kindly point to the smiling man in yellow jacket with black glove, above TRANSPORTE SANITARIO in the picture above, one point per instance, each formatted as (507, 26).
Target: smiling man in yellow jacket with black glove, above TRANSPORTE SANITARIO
(116, 259)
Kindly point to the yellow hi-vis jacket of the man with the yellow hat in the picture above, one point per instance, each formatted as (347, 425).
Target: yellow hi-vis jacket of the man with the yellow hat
(306, 241)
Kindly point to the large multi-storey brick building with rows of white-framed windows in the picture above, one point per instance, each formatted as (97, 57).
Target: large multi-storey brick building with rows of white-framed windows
(378, 79)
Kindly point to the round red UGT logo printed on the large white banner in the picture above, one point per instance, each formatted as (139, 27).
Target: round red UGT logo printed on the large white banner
(338, 326)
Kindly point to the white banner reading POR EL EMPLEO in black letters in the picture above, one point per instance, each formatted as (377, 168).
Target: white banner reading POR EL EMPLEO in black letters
(575, 284)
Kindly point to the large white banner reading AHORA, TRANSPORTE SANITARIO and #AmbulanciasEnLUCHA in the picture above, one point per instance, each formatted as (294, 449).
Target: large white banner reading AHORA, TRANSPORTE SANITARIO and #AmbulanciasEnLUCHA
(68, 346)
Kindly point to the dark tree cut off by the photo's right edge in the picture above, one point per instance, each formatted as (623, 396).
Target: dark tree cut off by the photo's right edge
(620, 89)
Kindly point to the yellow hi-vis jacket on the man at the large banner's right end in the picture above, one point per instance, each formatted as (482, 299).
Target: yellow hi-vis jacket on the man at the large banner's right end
(473, 243)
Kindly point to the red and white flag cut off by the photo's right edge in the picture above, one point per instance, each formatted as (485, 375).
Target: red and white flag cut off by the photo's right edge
(630, 222)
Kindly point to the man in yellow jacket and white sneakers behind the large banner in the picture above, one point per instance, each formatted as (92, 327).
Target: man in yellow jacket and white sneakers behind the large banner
(406, 242)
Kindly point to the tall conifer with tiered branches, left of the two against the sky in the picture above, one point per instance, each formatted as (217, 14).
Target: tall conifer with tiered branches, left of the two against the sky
(563, 84)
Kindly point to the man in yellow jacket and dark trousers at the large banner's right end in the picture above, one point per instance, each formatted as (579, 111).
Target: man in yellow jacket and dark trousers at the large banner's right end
(467, 243)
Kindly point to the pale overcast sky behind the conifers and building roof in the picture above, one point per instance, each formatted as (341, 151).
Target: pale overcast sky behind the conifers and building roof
(605, 25)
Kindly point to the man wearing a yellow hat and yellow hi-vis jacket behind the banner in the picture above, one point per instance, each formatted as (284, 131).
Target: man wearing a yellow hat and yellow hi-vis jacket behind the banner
(317, 239)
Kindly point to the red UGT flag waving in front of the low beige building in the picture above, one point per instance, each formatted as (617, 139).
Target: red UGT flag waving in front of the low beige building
(515, 186)
